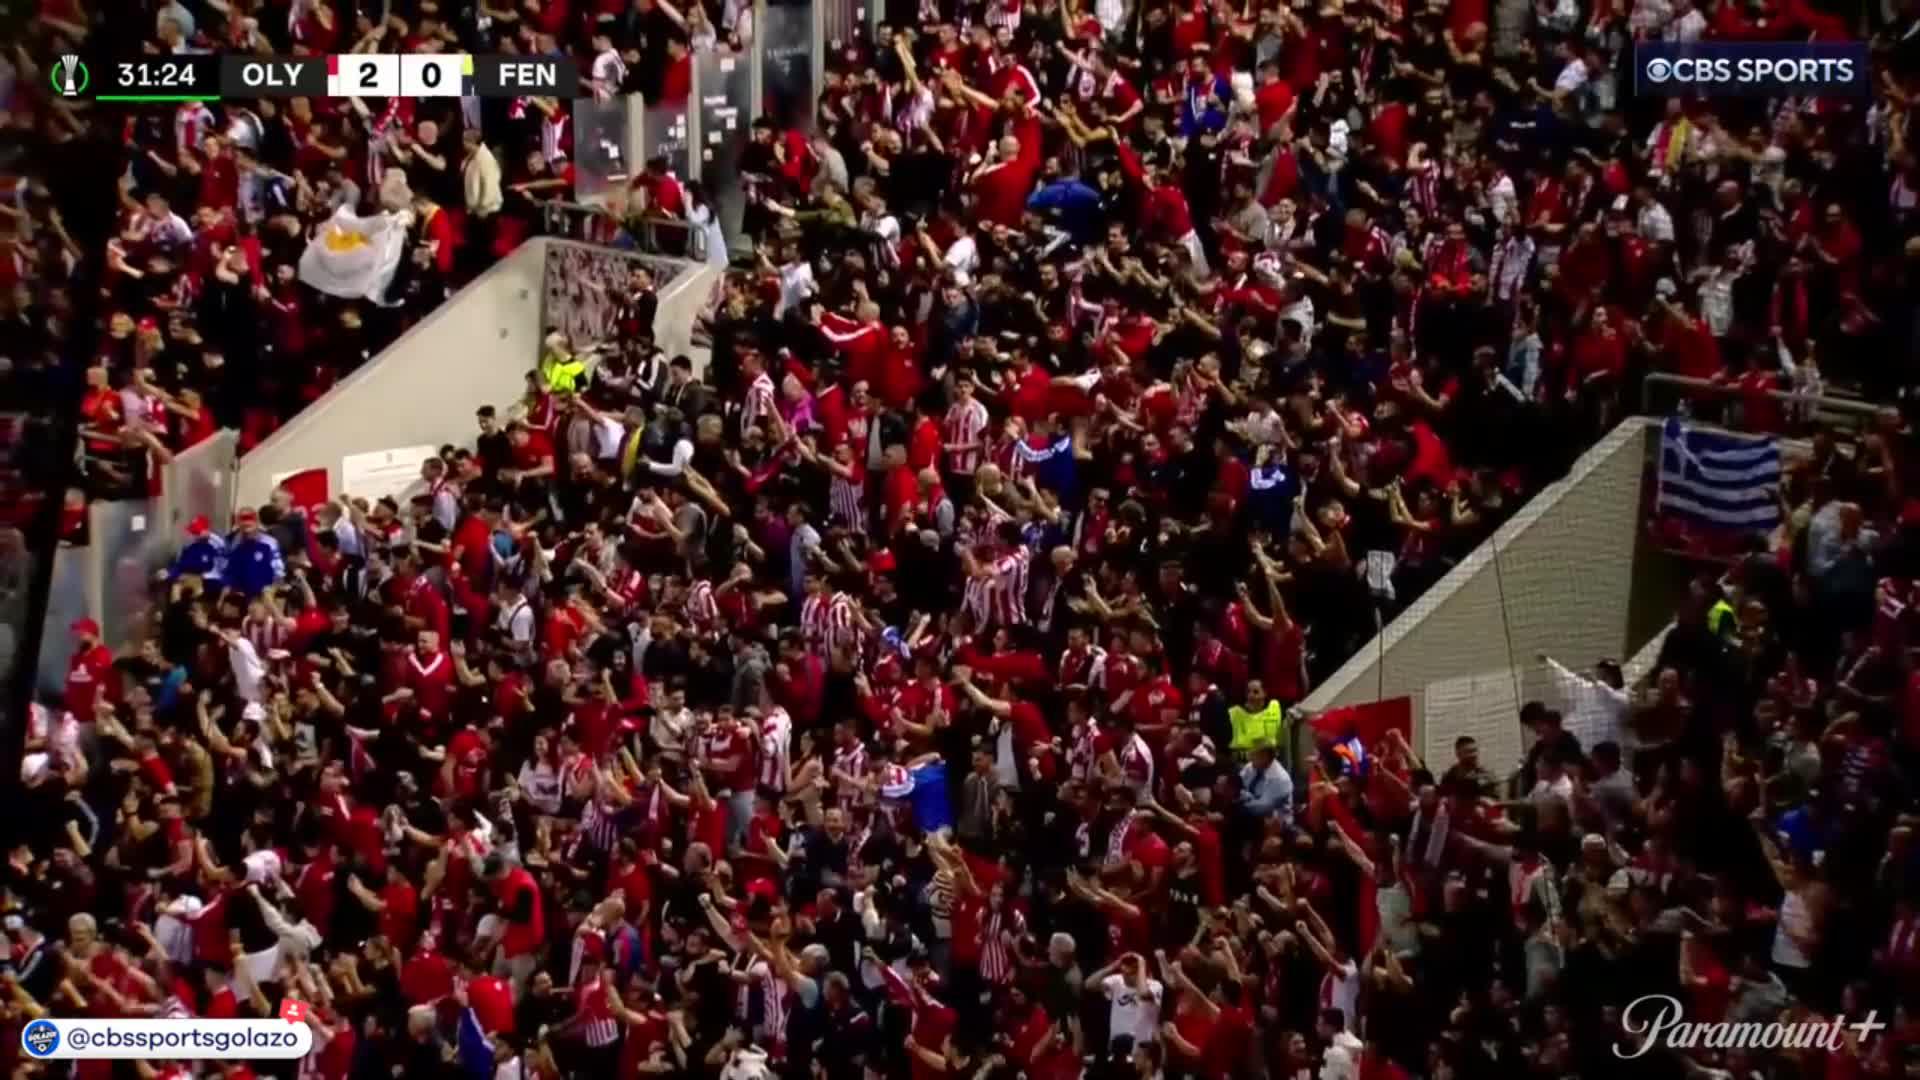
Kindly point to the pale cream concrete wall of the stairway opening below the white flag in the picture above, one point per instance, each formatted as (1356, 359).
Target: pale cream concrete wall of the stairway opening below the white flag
(423, 389)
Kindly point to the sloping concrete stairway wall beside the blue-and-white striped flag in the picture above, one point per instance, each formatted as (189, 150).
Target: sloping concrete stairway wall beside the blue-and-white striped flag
(1556, 579)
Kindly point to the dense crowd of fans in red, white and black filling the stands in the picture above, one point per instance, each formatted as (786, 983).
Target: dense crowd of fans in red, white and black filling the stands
(909, 689)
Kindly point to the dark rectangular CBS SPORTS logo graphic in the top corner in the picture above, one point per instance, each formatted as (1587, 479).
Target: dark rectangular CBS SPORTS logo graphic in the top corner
(1752, 70)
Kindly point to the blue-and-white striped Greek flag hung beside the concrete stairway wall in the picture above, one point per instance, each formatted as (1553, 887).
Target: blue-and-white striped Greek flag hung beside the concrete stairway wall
(1717, 478)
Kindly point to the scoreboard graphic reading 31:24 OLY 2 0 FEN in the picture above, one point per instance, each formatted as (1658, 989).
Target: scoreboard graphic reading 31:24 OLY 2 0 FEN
(352, 76)
